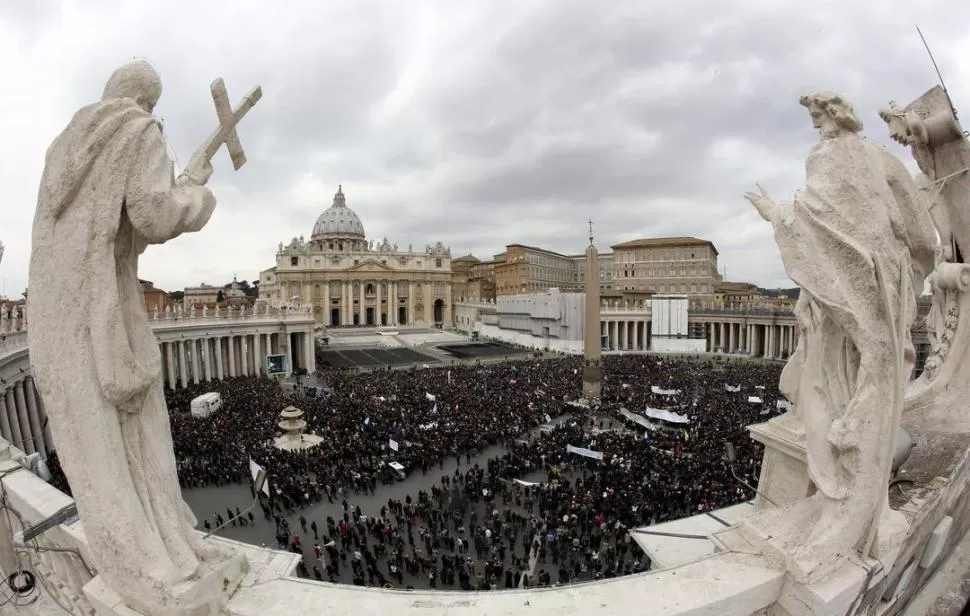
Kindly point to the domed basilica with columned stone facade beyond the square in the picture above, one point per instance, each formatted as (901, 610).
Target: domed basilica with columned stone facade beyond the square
(349, 280)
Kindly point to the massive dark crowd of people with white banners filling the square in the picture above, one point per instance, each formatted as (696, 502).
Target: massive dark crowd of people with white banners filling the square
(534, 511)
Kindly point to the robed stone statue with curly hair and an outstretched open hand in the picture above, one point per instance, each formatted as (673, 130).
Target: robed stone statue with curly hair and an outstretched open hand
(859, 242)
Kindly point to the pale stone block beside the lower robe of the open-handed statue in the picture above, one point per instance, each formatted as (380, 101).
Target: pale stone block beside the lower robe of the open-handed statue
(784, 468)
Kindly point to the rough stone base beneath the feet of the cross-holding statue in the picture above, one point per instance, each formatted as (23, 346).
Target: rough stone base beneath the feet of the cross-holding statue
(205, 595)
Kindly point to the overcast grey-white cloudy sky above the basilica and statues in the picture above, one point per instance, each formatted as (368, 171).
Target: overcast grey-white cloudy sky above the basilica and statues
(477, 124)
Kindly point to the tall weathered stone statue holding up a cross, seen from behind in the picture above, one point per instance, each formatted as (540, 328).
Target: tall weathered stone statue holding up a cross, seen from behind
(107, 192)
